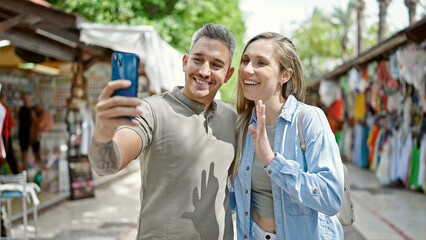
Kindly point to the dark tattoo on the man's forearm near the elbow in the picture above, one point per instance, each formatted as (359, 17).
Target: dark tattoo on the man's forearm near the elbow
(104, 157)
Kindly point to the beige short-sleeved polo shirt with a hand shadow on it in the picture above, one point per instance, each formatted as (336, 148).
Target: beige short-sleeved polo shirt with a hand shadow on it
(184, 166)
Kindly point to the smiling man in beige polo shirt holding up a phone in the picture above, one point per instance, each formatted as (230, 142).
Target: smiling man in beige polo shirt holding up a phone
(178, 137)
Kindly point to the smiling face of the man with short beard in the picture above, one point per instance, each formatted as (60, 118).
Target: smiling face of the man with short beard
(206, 69)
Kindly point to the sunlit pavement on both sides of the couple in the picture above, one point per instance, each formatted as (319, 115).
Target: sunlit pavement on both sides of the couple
(382, 213)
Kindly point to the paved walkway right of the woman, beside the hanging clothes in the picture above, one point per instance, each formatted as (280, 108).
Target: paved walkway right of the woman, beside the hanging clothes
(386, 213)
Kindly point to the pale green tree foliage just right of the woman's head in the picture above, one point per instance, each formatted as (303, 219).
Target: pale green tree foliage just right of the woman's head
(320, 42)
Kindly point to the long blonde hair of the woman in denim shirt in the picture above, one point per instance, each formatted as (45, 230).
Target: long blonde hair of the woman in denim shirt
(288, 59)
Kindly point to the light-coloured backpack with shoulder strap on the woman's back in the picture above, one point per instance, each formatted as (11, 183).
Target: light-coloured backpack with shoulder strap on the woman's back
(346, 214)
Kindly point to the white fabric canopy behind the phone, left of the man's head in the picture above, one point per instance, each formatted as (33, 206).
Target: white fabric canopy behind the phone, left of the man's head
(162, 63)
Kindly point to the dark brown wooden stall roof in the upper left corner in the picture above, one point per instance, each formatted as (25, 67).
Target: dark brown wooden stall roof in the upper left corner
(37, 29)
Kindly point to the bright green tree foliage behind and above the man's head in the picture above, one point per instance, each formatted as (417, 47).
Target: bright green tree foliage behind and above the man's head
(174, 20)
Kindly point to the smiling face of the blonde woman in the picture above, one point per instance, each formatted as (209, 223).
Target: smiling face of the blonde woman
(259, 72)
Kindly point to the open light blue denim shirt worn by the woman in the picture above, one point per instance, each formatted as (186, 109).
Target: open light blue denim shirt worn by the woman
(307, 188)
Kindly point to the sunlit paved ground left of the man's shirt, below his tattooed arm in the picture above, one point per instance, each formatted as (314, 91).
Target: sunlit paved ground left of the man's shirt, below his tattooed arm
(106, 216)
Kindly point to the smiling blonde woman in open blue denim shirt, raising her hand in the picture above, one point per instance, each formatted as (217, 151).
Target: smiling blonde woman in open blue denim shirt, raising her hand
(281, 192)
